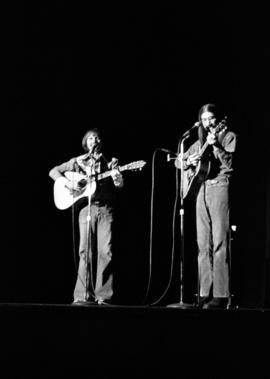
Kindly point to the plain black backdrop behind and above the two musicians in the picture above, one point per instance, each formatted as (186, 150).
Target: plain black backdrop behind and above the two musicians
(140, 74)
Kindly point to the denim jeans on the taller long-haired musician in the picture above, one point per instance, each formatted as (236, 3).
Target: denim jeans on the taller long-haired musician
(213, 233)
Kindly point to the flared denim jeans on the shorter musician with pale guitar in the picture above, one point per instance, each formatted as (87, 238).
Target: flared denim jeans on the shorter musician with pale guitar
(97, 275)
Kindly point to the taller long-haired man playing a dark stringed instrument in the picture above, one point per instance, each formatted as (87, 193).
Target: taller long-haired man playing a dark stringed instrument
(208, 168)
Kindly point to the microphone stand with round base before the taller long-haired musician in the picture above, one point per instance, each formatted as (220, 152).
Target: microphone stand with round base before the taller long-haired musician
(181, 303)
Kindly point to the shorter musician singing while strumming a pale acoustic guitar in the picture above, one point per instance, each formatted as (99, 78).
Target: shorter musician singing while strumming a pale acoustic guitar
(95, 214)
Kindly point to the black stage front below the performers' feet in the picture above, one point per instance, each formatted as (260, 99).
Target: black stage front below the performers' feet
(54, 340)
